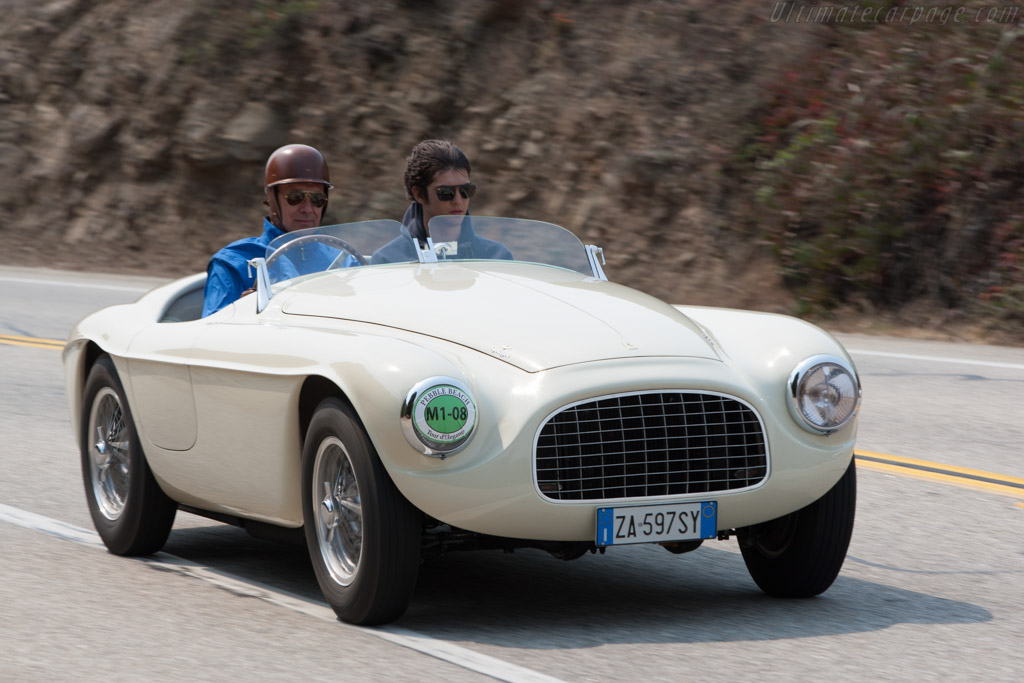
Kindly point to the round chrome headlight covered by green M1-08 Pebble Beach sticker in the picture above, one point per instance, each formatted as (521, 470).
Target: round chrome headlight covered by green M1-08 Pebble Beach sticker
(439, 417)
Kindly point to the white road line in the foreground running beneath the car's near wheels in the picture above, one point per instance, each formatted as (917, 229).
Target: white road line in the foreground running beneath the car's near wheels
(461, 657)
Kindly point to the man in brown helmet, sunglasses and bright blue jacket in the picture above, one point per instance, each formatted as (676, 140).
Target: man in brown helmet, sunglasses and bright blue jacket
(297, 185)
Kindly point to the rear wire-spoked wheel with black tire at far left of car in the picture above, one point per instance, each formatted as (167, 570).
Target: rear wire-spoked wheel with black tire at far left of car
(132, 514)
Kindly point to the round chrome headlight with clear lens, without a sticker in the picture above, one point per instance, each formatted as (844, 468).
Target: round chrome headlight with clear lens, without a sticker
(825, 394)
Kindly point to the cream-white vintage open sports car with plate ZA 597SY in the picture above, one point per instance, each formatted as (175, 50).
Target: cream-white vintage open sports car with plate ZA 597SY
(393, 401)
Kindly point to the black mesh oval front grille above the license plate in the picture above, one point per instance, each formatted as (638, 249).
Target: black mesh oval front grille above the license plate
(651, 444)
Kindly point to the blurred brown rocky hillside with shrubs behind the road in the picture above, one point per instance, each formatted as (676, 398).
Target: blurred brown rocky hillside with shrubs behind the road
(719, 153)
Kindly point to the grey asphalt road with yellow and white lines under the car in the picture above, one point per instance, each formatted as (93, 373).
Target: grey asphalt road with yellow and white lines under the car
(931, 590)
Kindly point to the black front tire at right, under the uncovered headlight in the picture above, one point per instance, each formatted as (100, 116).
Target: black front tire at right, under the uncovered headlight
(800, 556)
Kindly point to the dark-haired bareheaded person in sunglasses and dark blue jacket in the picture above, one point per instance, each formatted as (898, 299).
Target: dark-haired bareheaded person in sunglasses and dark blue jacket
(438, 183)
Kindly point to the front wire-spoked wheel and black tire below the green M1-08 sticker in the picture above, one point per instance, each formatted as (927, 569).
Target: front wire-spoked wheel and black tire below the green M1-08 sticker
(364, 537)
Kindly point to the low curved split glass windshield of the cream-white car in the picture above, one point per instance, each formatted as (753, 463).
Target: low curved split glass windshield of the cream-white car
(376, 243)
